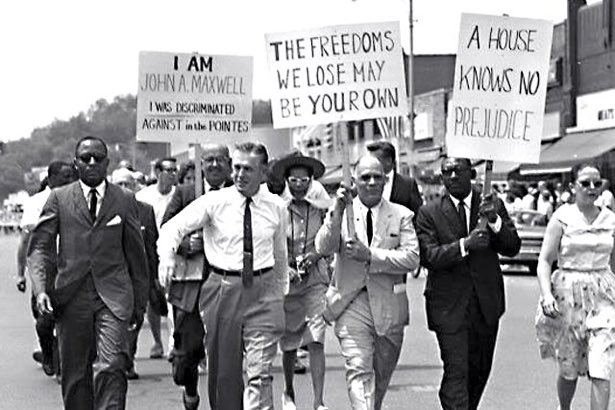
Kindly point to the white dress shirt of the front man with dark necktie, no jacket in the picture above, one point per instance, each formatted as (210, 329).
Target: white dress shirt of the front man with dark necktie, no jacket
(220, 215)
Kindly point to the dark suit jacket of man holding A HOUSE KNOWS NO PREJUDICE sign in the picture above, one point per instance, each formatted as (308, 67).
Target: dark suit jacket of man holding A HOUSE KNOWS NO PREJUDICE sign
(451, 277)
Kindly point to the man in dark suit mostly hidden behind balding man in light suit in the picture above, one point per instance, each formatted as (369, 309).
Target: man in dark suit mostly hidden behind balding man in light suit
(398, 189)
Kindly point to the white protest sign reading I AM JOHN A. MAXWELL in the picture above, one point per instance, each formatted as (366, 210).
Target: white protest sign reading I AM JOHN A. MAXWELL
(187, 97)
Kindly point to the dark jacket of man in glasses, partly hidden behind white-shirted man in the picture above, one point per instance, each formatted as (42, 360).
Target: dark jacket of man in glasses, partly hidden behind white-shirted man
(184, 295)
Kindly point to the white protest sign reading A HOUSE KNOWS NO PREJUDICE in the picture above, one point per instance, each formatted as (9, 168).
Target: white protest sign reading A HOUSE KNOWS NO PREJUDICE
(501, 76)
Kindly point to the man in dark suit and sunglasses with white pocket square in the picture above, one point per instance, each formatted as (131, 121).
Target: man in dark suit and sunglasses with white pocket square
(101, 279)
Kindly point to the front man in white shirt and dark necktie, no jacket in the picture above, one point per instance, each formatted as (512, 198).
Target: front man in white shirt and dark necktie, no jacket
(244, 234)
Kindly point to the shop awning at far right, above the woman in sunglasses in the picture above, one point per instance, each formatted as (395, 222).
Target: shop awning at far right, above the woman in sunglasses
(570, 150)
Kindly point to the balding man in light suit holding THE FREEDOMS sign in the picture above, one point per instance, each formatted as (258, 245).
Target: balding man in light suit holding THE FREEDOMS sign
(367, 297)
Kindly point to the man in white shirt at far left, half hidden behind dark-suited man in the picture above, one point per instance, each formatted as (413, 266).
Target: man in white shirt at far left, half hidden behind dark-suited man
(58, 173)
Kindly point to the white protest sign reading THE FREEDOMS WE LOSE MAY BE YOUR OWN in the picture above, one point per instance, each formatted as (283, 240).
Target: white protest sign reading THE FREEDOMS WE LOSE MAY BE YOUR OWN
(338, 73)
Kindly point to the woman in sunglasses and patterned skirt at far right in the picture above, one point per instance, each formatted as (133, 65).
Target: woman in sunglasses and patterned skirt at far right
(576, 319)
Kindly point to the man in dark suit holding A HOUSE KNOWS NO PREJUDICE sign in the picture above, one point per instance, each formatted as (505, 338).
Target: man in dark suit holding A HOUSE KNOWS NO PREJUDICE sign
(464, 291)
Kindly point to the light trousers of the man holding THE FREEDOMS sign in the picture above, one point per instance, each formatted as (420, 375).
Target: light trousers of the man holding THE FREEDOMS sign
(370, 358)
